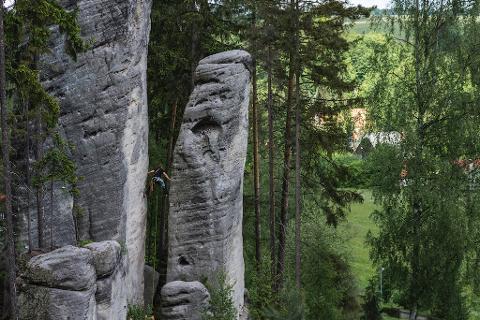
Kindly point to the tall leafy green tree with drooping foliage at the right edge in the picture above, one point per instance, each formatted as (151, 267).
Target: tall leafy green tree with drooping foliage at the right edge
(422, 87)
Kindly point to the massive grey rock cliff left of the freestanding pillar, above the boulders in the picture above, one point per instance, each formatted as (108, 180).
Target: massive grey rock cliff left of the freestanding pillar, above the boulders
(104, 115)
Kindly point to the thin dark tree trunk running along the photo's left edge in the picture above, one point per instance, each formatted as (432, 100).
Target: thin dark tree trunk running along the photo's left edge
(11, 261)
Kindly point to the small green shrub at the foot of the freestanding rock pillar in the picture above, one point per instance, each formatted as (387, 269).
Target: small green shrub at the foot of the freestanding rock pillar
(221, 306)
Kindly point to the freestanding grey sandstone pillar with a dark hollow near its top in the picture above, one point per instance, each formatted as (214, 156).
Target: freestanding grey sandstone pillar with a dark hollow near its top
(206, 195)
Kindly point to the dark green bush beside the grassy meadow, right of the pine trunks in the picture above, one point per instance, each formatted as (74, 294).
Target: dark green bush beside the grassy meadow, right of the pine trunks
(328, 286)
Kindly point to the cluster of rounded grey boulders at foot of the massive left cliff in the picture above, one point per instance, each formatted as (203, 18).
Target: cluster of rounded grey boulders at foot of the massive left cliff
(75, 283)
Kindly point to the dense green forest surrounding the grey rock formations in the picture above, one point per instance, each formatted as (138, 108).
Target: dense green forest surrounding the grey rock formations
(360, 187)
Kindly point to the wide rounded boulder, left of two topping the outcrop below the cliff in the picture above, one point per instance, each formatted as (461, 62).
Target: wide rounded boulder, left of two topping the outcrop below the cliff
(68, 268)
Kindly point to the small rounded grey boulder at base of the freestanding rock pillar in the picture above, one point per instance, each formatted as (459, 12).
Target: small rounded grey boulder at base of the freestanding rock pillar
(184, 300)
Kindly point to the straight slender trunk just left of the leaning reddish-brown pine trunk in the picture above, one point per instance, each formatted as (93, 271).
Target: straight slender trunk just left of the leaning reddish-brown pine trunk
(271, 164)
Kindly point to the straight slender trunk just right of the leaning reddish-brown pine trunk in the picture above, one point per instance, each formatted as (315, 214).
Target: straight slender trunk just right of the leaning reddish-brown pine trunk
(298, 187)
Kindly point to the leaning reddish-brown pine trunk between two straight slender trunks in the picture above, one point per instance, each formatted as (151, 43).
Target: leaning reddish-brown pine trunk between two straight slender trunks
(287, 155)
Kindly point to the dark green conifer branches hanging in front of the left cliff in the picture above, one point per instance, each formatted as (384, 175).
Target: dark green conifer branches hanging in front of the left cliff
(29, 26)
